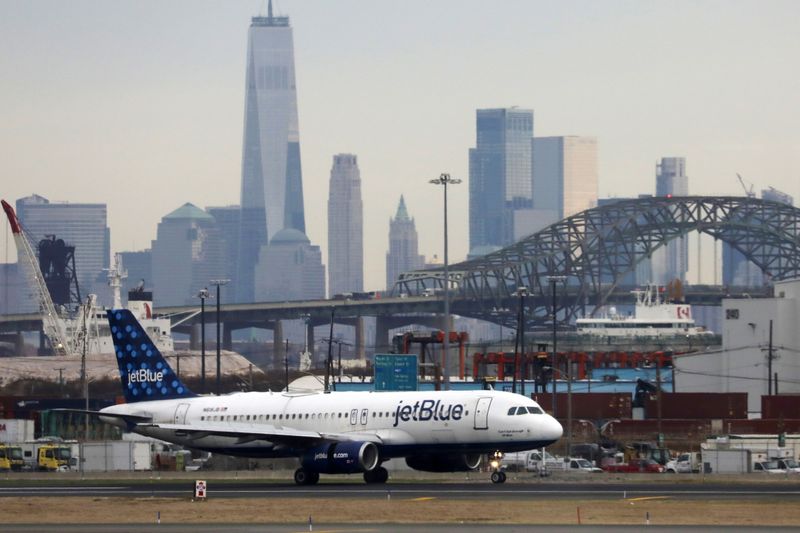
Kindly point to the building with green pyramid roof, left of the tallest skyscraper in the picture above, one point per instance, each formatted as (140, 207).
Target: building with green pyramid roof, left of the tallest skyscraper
(186, 254)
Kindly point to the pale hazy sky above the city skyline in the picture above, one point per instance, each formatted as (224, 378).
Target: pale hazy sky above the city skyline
(139, 104)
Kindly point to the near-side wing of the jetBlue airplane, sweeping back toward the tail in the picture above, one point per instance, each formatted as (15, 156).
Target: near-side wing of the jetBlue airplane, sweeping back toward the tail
(282, 435)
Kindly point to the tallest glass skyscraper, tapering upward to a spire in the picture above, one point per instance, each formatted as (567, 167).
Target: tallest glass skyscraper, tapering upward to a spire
(272, 188)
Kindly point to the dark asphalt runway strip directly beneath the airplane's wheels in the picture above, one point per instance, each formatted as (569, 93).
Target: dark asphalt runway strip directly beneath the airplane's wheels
(772, 490)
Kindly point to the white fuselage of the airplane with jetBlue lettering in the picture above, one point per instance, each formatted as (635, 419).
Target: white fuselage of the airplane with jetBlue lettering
(401, 423)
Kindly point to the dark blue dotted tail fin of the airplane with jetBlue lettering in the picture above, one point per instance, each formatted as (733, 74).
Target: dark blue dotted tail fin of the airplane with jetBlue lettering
(144, 372)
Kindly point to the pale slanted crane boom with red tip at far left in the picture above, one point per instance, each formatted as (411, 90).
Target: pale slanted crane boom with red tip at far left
(52, 325)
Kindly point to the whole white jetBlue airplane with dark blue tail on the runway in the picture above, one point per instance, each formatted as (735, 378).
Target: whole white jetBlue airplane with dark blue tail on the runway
(330, 433)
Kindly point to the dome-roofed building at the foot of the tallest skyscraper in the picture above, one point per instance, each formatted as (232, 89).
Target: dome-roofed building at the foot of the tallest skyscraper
(290, 268)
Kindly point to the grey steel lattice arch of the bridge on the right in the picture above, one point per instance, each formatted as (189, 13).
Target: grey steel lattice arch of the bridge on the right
(595, 249)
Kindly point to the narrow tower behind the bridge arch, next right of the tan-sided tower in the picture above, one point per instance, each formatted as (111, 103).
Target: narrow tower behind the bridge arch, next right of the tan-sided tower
(672, 261)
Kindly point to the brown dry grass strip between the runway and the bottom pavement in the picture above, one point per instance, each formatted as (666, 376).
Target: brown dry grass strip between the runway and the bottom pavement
(661, 511)
